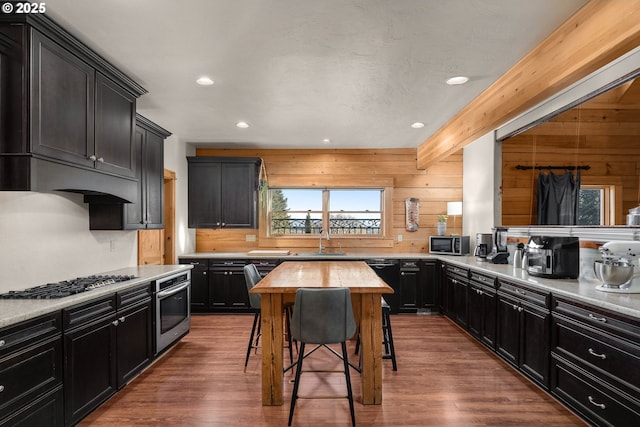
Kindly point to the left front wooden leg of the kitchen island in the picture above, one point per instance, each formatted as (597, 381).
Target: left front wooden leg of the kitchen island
(272, 342)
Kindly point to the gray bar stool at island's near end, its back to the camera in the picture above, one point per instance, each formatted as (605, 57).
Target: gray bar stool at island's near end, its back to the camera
(322, 317)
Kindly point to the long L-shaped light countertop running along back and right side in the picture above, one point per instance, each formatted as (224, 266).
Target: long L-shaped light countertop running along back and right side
(582, 289)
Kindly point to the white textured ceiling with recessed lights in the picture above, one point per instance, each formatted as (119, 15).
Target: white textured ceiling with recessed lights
(356, 71)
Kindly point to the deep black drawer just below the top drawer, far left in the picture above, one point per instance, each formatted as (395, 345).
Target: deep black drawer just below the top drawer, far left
(30, 372)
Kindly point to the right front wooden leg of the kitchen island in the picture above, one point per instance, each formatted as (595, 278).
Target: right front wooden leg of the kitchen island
(371, 348)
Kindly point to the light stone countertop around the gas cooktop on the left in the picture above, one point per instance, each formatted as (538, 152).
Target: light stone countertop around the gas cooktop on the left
(17, 310)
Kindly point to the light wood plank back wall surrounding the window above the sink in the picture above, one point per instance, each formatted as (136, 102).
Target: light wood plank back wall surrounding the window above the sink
(394, 169)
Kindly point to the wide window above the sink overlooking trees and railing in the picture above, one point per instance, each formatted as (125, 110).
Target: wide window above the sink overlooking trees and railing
(338, 211)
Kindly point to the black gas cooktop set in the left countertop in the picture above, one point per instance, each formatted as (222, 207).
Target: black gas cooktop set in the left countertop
(67, 288)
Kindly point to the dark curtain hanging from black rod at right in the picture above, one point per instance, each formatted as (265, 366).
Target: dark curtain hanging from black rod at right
(558, 198)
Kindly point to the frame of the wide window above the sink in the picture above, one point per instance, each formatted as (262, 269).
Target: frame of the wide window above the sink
(325, 213)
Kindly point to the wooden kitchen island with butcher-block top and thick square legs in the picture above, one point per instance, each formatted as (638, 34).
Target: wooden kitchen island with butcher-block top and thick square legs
(280, 286)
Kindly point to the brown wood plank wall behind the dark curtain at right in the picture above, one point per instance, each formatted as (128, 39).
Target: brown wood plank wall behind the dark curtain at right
(605, 139)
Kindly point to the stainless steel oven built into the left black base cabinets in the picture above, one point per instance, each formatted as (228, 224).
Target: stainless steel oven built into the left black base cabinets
(172, 309)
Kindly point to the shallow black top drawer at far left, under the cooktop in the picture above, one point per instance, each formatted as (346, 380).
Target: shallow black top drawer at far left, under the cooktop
(25, 333)
